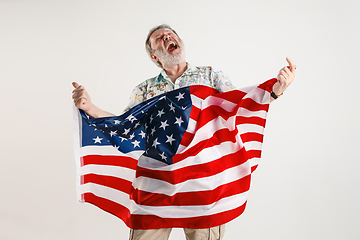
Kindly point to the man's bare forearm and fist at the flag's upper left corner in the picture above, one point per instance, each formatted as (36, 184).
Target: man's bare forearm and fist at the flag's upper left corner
(82, 100)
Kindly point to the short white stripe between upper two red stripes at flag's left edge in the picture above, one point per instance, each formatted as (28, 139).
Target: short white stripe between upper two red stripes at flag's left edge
(114, 171)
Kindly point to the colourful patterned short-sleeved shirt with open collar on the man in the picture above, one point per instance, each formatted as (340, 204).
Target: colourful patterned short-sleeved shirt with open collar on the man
(192, 76)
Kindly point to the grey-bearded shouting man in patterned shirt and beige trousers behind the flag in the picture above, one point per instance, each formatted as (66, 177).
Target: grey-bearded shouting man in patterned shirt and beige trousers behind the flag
(166, 50)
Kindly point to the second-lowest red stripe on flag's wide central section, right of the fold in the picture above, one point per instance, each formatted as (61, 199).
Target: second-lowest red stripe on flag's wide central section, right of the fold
(192, 198)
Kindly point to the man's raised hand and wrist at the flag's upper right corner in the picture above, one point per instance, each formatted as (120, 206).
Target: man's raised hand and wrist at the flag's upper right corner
(284, 78)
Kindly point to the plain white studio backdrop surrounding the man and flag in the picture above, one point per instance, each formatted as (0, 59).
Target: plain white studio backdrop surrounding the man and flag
(307, 185)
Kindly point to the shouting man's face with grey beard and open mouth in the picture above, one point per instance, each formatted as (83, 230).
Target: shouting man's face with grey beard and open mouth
(168, 48)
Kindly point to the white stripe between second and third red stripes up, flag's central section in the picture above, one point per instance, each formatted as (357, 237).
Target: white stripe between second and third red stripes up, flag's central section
(199, 184)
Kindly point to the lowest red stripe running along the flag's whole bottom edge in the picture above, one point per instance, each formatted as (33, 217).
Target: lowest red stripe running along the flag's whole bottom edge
(155, 222)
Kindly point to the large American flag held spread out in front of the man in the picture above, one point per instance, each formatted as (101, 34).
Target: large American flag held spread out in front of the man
(180, 159)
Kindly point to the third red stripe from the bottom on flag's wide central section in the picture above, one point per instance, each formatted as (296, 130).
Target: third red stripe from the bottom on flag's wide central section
(195, 171)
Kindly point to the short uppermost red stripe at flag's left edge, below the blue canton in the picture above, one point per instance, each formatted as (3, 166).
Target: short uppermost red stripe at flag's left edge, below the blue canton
(120, 161)
